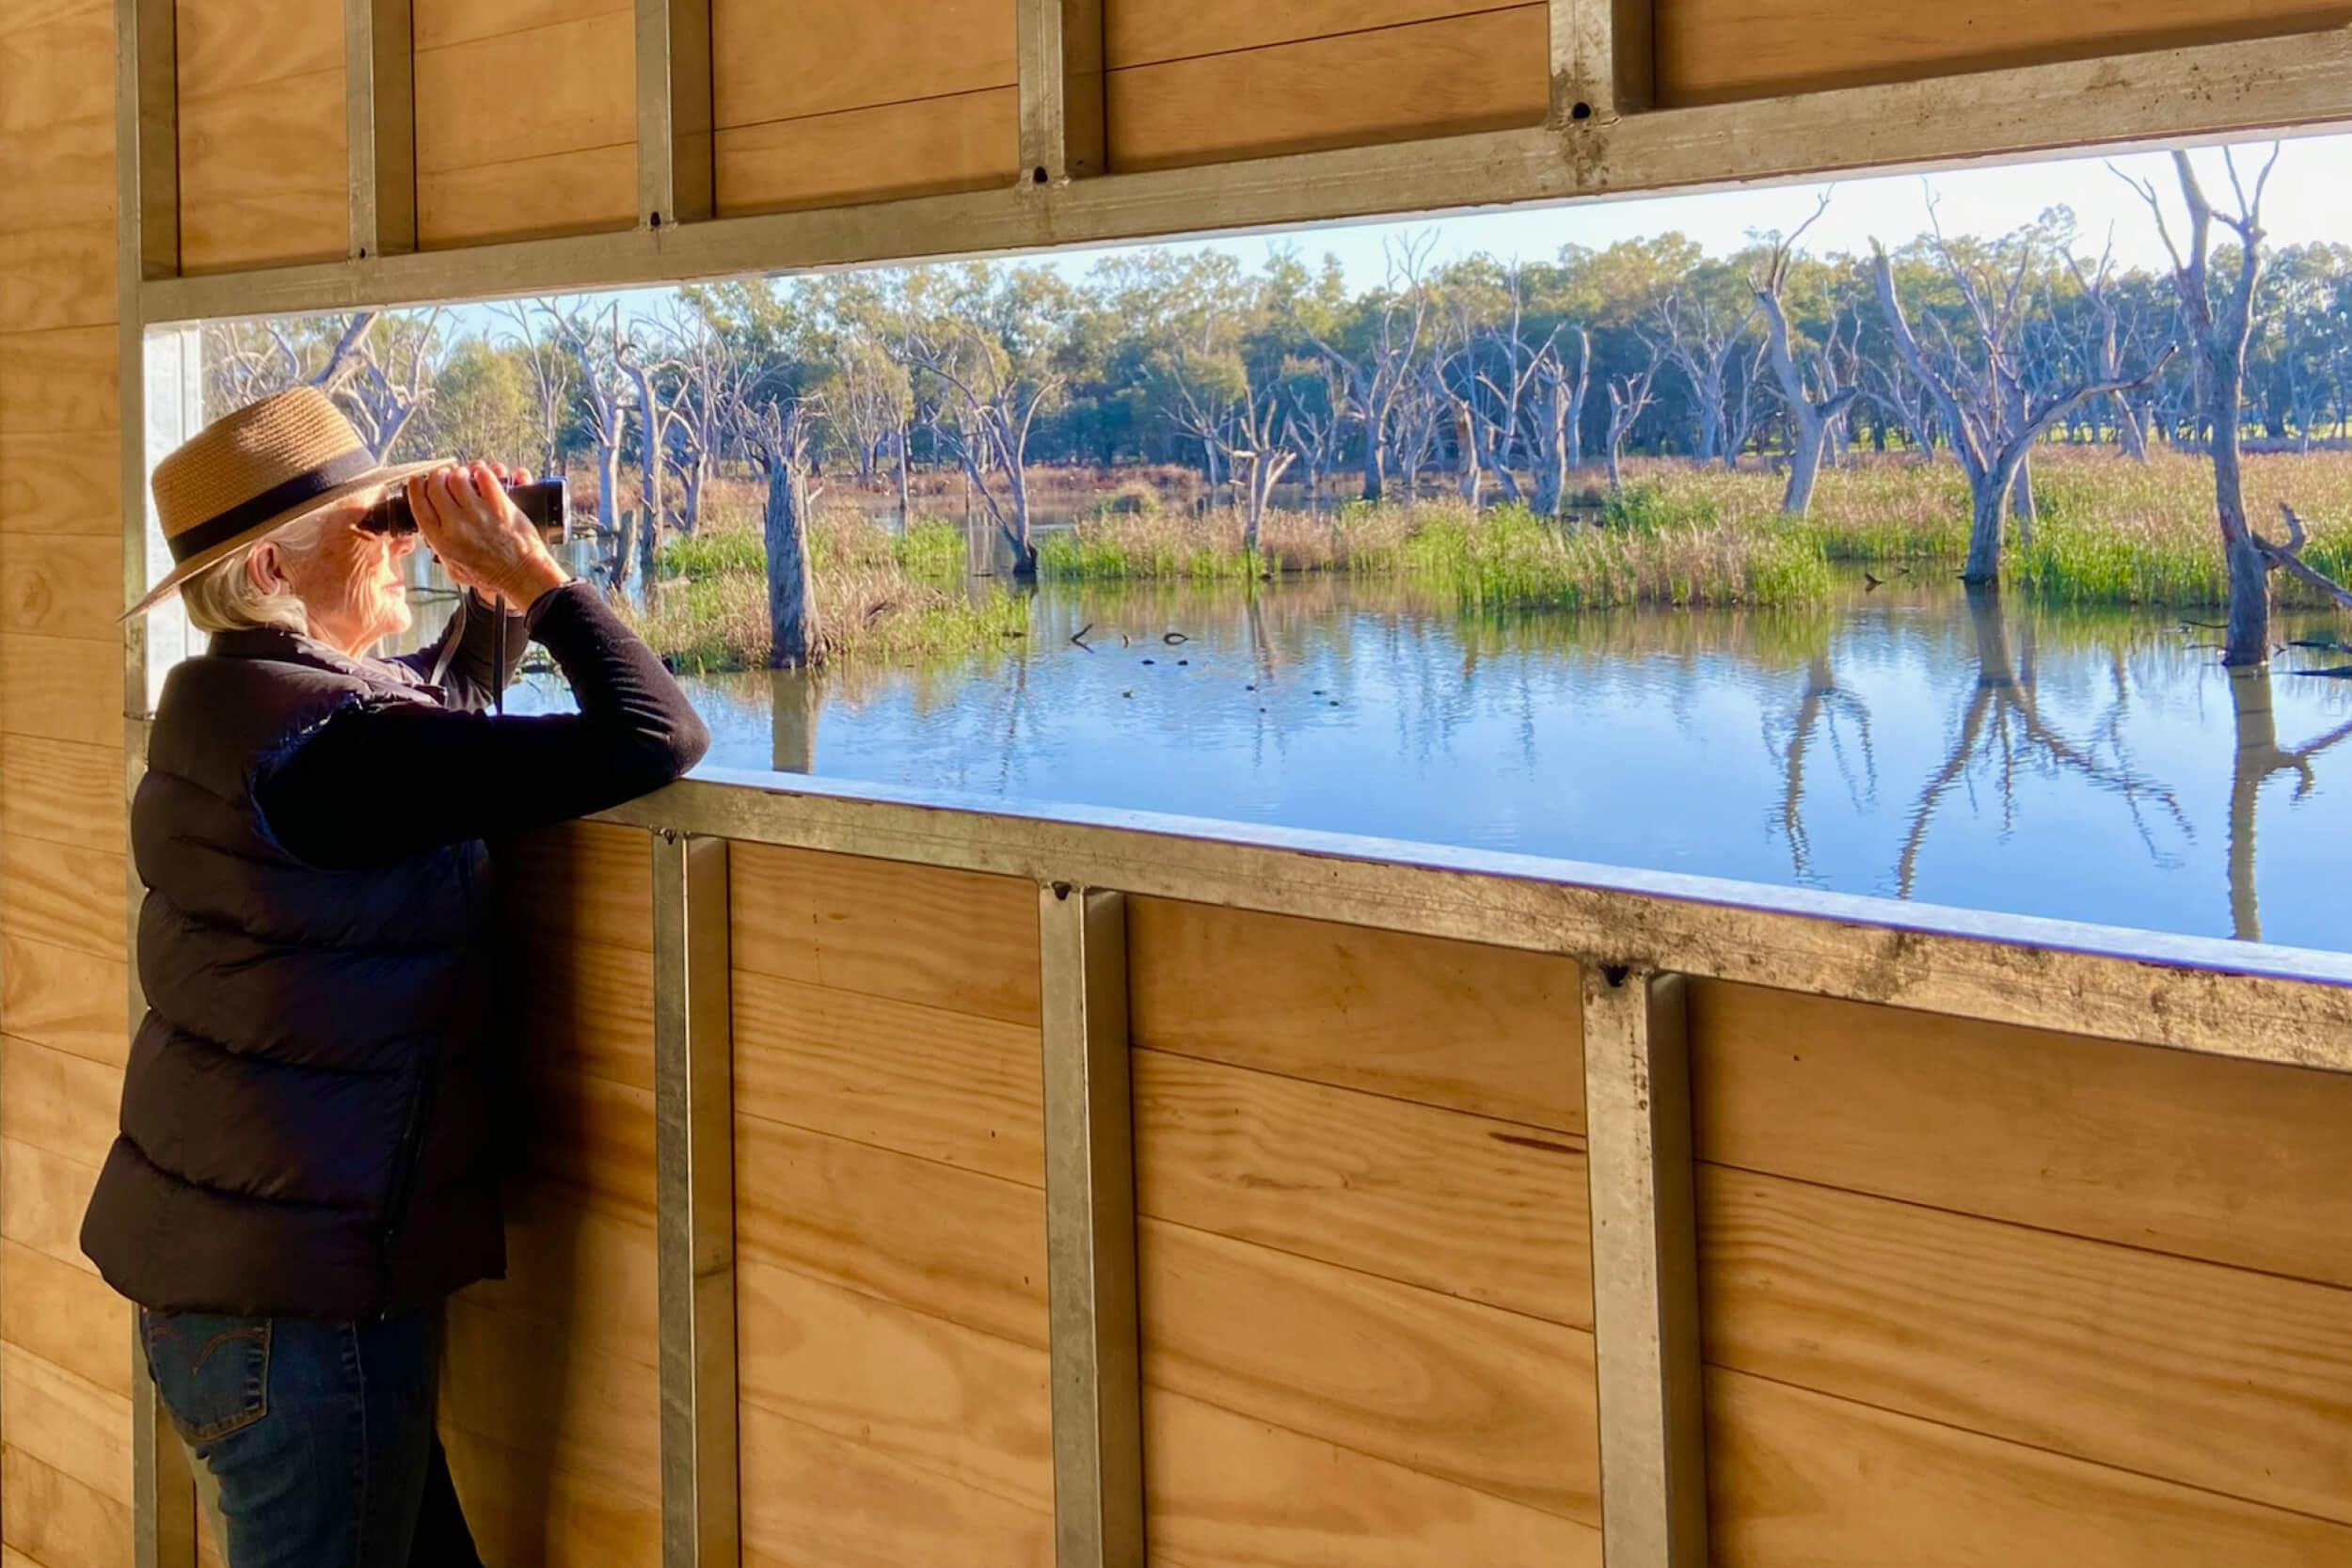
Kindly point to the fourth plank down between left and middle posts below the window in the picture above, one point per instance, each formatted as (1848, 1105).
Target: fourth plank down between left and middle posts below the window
(918, 1388)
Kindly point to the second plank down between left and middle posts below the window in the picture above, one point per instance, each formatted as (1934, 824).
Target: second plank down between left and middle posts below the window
(900, 1076)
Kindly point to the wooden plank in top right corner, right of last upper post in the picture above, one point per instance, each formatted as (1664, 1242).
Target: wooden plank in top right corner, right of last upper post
(1720, 51)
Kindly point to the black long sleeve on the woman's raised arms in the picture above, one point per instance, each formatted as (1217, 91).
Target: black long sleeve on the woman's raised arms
(380, 784)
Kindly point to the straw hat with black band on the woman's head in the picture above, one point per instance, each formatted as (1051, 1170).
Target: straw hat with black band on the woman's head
(255, 471)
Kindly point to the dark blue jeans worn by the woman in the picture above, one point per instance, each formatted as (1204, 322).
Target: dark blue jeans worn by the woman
(319, 1435)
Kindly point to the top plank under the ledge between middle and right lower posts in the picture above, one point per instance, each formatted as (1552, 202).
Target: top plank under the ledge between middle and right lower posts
(1448, 1024)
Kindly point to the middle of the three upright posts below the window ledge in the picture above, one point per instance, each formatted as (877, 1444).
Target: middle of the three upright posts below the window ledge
(1090, 1235)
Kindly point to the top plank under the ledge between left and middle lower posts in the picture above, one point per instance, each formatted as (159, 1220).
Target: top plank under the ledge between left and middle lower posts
(961, 942)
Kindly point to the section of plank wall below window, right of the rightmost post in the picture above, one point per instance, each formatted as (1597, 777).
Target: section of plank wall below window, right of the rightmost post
(1993, 1296)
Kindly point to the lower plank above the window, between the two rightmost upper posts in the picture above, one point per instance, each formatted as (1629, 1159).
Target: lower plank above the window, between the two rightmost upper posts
(1434, 79)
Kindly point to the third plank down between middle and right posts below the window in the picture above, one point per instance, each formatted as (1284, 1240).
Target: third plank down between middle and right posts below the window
(1450, 1388)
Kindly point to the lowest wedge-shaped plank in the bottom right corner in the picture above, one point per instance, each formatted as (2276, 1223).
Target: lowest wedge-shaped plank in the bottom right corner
(1798, 1477)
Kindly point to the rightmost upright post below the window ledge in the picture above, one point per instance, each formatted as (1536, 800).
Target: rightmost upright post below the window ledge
(1645, 1271)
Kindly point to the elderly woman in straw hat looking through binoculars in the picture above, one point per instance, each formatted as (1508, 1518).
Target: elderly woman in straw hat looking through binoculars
(312, 1127)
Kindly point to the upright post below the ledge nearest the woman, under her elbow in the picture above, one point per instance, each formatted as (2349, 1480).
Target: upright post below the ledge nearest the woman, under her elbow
(695, 1202)
